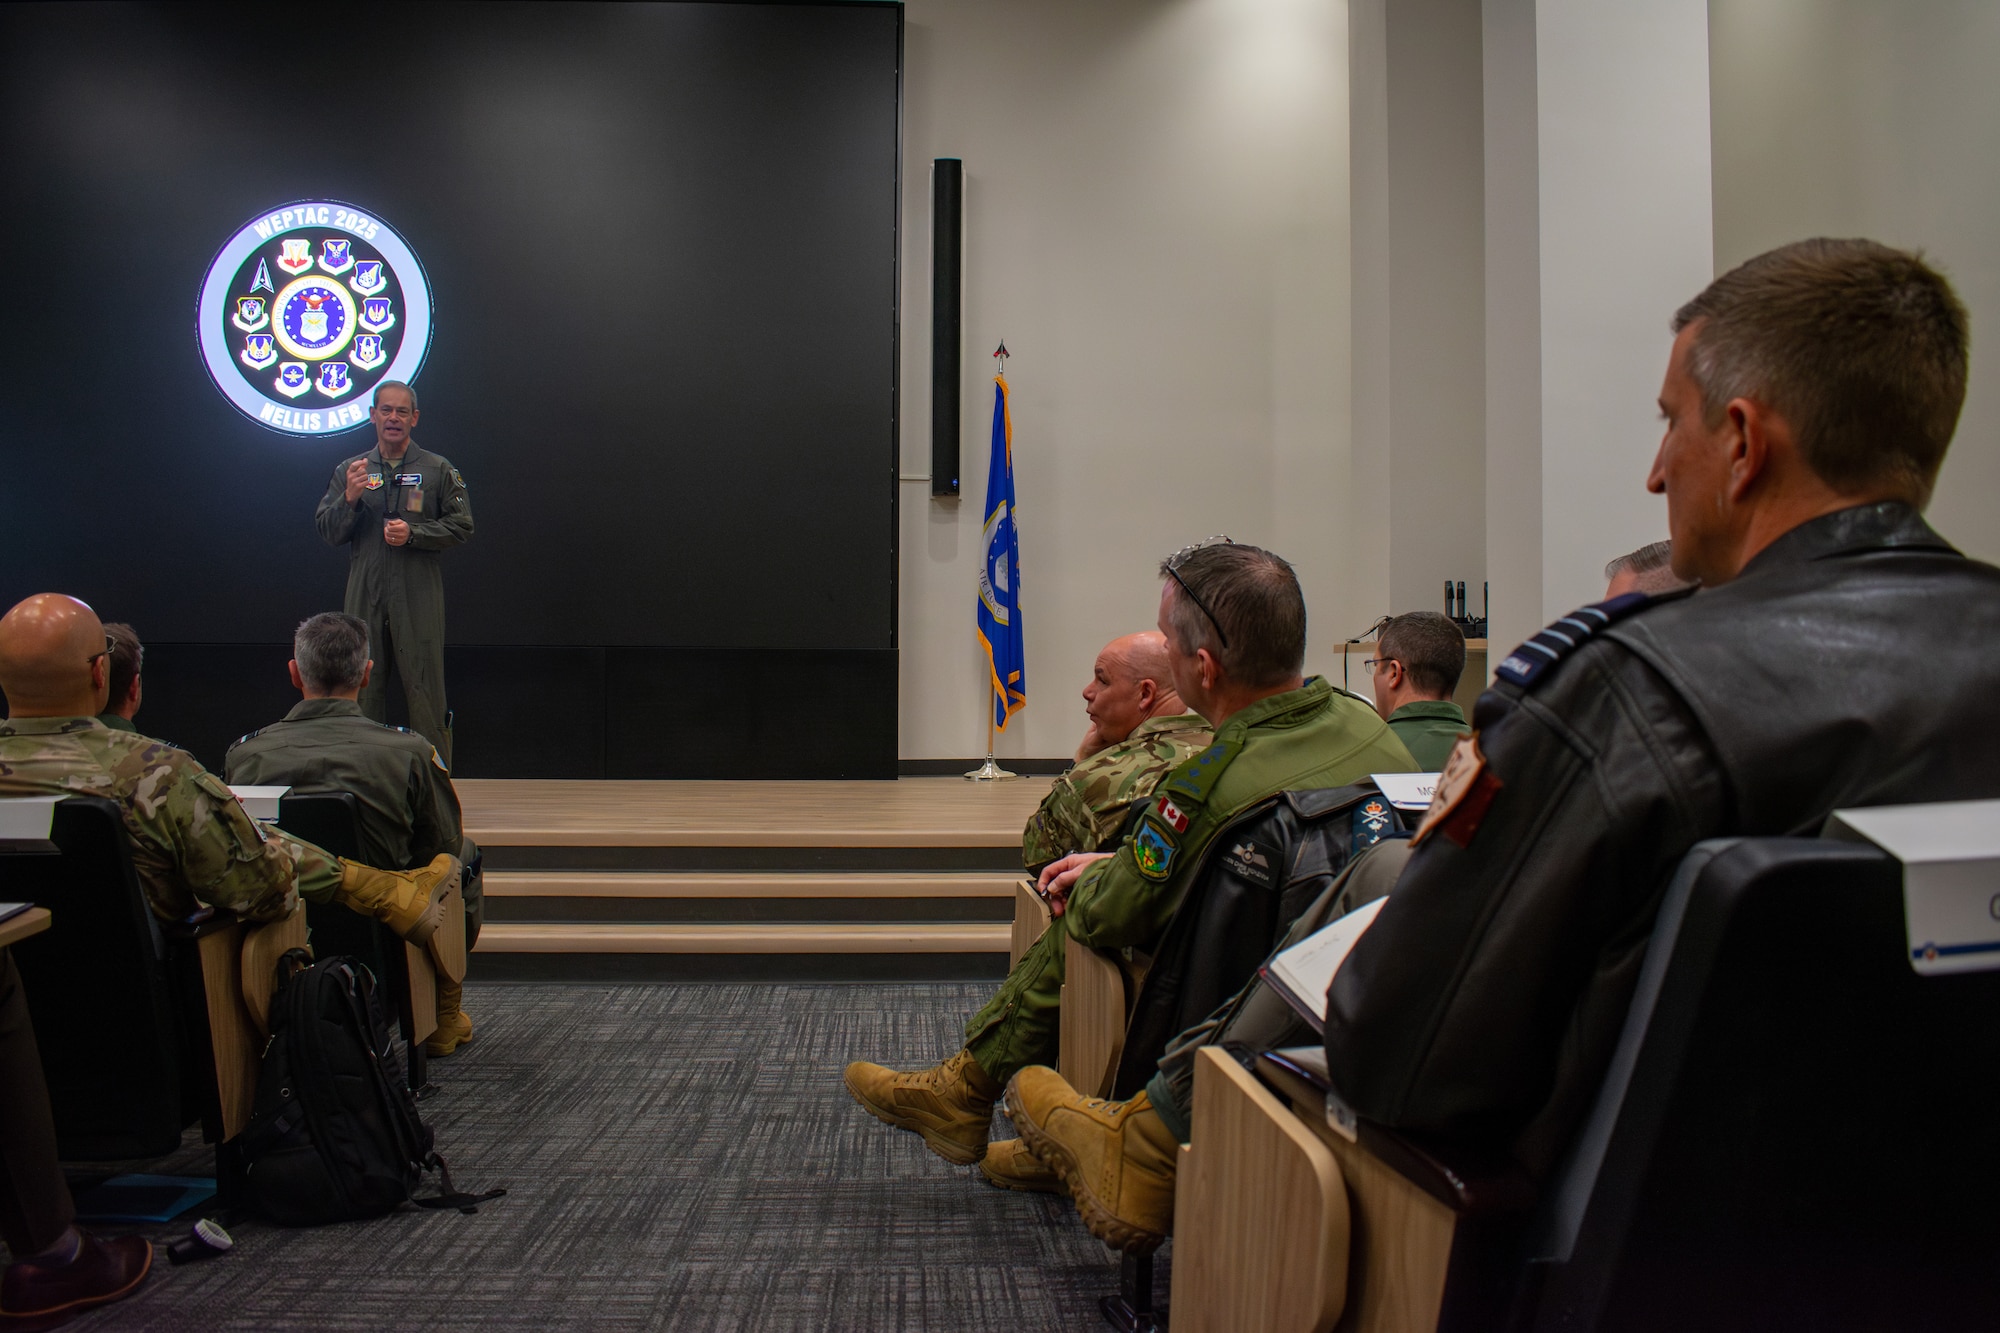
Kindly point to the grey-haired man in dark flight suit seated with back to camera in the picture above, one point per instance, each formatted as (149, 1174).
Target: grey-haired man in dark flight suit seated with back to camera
(407, 804)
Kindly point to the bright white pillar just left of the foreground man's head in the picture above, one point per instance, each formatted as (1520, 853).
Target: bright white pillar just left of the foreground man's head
(1623, 235)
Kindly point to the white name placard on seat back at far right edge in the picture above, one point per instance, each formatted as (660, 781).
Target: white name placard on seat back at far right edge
(1951, 878)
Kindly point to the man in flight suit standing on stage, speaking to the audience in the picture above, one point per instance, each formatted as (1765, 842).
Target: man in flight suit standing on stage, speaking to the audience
(397, 507)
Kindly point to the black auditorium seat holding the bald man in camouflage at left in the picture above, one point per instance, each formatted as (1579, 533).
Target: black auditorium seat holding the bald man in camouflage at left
(143, 1028)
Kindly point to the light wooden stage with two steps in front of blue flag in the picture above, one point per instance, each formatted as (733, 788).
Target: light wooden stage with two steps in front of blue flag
(747, 880)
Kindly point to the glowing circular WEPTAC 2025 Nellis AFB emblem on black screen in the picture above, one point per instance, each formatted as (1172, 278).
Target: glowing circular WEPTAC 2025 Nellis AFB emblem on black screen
(307, 309)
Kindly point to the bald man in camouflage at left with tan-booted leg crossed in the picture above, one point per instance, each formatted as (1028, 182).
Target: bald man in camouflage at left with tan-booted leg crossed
(193, 844)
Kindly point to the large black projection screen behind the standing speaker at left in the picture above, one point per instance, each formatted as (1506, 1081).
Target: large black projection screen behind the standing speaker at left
(661, 249)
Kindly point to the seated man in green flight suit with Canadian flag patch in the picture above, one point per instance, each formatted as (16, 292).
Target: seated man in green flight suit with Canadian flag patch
(1235, 627)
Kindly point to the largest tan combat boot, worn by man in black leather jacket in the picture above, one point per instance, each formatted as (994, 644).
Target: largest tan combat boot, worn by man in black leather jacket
(1115, 1156)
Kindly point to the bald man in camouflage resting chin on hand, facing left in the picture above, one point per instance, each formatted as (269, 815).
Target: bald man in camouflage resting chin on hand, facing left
(1139, 734)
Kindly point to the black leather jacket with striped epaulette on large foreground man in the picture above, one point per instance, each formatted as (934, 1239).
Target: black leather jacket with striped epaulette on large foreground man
(1855, 661)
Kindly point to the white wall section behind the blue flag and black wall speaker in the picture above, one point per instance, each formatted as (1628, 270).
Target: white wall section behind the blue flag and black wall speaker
(1157, 203)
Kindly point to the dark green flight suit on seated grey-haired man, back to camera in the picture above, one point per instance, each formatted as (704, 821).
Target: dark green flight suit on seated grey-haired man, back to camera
(407, 802)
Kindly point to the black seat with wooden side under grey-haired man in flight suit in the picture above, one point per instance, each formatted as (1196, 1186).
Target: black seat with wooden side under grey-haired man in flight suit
(333, 822)
